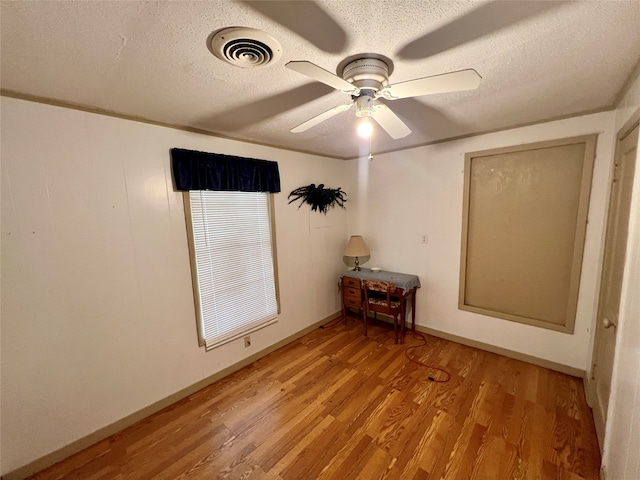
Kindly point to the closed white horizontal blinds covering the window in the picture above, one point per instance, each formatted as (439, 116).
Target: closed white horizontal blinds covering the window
(233, 260)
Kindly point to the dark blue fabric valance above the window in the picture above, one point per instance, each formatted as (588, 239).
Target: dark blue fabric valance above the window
(193, 170)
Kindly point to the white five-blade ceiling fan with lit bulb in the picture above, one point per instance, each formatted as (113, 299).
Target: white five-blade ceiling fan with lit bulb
(366, 79)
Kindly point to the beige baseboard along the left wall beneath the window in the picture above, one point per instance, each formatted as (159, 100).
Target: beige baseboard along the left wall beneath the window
(115, 427)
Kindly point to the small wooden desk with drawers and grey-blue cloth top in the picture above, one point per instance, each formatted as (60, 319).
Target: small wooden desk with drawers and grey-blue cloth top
(406, 286)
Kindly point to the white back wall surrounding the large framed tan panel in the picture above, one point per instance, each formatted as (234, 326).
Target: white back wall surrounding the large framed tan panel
(403, 195)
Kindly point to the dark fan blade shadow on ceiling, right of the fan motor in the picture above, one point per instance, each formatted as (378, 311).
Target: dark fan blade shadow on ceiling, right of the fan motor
(487, 18)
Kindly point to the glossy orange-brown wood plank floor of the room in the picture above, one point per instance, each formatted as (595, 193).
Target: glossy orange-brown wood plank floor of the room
(337, 405)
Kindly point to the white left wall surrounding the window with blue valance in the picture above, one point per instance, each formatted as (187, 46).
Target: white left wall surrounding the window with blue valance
(97, 310)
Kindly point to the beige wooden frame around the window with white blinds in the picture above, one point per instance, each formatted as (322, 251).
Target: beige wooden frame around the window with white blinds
(195, 280)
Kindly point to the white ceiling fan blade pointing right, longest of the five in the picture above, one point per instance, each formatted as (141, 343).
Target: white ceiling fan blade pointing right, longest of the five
(446, 82)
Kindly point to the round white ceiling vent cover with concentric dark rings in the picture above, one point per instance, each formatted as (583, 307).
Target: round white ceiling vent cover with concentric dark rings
(245, 47)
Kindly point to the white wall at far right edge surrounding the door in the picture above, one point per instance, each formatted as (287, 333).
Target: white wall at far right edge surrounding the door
(622, 435)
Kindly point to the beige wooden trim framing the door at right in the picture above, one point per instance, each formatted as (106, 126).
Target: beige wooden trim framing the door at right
(589, 380)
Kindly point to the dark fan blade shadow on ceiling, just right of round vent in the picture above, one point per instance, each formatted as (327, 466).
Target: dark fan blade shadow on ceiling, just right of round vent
(306, 19)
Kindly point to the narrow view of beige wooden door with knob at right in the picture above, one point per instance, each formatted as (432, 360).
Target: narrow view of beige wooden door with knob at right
(612, 274)
